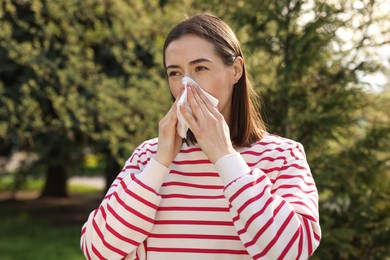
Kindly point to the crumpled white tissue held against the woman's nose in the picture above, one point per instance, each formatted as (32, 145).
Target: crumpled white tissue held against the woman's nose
(182, 125)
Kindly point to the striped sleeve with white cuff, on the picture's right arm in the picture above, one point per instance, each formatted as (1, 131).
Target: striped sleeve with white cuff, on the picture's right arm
(278, 218)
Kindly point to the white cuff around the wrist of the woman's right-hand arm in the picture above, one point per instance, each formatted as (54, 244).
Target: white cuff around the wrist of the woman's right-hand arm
(231, 167)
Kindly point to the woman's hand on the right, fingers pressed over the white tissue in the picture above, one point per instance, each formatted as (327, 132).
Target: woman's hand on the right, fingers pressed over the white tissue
(208, 125)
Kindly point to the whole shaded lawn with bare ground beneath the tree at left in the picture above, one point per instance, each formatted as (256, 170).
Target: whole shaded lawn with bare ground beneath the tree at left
(45, 228)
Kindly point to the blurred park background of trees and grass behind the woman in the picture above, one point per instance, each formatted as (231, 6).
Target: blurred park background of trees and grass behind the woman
(82, 84)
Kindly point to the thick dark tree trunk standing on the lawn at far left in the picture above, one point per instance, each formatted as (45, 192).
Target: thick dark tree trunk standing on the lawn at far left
(56, 182)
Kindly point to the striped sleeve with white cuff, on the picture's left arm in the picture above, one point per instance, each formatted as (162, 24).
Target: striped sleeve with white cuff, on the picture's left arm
(122, 222)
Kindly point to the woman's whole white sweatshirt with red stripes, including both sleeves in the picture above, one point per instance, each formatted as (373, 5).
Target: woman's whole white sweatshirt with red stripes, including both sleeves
(258, 203)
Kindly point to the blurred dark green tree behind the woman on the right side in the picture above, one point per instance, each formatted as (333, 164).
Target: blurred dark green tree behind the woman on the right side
(310, 80)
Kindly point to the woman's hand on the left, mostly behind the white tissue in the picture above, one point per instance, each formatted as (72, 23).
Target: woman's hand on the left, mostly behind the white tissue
(169, 142)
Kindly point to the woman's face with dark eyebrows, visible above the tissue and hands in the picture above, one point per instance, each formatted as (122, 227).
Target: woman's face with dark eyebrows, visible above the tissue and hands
(195, 57)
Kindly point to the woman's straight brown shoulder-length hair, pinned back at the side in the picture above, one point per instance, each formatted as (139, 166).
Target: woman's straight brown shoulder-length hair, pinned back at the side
(246, 125)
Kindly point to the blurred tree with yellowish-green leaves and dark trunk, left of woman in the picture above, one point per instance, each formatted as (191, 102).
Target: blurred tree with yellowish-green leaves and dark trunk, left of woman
(76, 74)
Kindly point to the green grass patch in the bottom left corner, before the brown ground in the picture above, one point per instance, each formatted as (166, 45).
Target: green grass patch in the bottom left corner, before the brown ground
(25, 237)
